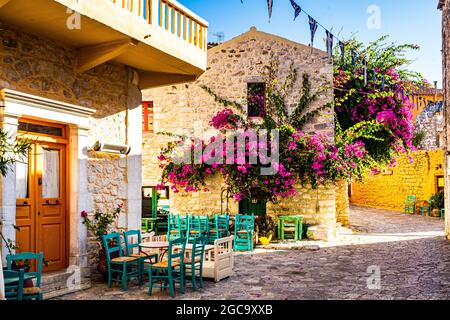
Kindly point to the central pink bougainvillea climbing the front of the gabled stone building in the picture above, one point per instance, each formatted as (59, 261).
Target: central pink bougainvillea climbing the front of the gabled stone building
(302, 159)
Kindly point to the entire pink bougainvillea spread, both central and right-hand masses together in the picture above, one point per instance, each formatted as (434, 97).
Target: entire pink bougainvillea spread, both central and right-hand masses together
(373, 124)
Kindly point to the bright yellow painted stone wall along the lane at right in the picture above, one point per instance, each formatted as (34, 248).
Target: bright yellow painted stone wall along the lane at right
(389, 191)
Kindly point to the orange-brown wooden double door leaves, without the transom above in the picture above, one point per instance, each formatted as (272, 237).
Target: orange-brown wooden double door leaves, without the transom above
(41, 215)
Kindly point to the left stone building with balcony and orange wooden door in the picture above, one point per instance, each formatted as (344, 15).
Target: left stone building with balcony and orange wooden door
(71, 75)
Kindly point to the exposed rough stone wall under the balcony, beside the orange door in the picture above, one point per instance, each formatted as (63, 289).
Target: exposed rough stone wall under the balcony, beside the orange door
(44, 68)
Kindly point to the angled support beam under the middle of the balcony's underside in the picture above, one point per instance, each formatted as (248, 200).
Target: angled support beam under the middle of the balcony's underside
(92, 56)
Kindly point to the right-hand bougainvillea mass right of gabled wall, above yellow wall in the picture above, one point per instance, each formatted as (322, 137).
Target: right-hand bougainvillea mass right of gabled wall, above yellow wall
(379, 95)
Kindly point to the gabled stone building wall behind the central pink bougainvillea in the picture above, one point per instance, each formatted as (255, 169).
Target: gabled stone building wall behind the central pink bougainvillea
(233, 66)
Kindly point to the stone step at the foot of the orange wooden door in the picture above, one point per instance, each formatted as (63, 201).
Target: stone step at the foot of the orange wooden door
(55, 284)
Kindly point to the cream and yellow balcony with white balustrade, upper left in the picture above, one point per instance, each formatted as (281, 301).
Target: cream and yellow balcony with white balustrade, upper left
(163, 40)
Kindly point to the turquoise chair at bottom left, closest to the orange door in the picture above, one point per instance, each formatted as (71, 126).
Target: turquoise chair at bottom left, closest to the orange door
(32, 293)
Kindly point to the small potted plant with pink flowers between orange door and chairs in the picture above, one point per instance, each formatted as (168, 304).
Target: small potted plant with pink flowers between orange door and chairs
(99, 225)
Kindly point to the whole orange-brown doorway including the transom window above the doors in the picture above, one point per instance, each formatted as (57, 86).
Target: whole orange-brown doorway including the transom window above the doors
(41, 193)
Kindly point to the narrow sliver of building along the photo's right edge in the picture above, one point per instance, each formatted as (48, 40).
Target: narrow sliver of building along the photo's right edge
(444, 6)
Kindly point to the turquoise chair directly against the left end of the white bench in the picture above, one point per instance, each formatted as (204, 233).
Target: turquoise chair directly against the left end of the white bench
(194, 264)
